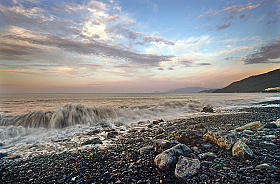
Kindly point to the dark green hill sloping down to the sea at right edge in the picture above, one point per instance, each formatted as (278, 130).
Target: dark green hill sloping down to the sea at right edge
(256, 83)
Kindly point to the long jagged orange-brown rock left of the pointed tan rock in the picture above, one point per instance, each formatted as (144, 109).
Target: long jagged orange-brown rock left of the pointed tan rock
(222, 138)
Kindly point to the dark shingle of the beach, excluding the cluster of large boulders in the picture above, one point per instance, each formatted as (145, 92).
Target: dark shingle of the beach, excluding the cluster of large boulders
(124, 162)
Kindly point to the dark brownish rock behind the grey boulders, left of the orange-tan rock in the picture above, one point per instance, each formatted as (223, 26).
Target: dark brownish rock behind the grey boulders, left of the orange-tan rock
(189, 136)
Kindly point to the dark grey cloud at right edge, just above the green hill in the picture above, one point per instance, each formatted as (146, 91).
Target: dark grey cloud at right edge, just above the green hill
(265, 54)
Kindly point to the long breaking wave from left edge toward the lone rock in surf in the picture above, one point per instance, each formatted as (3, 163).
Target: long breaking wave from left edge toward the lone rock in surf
(73, 114)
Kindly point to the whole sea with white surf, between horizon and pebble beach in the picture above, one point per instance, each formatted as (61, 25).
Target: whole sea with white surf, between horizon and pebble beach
(39, 124)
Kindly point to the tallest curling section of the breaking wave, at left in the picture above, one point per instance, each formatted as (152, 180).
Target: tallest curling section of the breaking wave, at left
(68, 115)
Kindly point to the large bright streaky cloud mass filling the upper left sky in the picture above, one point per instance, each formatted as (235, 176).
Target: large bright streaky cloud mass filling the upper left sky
(89, 29)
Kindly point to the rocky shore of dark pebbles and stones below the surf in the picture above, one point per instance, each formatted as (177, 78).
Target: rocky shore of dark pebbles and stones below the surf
(132, 157)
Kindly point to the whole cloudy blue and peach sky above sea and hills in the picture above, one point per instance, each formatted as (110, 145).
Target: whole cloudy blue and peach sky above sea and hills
(129, 46)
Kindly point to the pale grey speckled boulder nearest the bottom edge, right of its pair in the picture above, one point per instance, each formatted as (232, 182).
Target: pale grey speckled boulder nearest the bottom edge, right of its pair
(186, 167)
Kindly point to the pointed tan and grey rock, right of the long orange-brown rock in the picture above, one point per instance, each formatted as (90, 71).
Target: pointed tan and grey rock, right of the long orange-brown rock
(240, 149)
